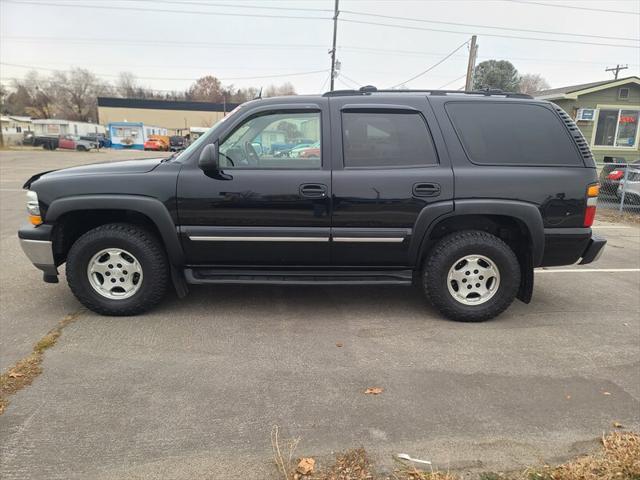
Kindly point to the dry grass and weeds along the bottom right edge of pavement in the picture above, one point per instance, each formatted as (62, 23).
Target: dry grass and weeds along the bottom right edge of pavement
(619, 459)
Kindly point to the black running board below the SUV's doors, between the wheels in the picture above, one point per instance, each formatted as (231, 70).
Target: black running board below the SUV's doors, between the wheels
(197, 276)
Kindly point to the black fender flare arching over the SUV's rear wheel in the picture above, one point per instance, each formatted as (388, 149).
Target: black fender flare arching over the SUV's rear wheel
(527, 213)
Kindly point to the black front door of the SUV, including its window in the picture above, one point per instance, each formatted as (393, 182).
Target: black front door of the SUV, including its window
(269, 205)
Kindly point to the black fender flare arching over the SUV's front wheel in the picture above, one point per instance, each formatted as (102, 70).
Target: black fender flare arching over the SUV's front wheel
(152, 208)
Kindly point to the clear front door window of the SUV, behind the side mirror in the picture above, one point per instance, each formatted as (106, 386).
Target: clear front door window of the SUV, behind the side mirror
(274, 140)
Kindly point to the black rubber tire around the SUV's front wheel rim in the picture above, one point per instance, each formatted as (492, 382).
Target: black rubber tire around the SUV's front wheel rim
(140, 243)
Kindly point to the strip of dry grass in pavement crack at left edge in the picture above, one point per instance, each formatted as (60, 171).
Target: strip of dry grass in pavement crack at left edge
(26, 370)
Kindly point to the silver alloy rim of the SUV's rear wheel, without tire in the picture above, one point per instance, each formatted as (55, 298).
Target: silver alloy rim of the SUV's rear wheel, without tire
(473, 280)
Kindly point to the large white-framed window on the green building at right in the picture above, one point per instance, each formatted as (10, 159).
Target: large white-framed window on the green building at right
(617, 128)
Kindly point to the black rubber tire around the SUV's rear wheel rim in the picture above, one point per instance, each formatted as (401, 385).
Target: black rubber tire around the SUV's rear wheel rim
(444, 255)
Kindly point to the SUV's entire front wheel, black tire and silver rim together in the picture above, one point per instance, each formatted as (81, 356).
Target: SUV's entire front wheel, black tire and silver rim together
(117, 269)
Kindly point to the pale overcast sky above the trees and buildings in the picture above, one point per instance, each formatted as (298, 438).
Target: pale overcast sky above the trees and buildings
(168, 44)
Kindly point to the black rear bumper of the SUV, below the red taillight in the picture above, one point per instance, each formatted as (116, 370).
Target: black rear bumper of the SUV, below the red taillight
(567, 246)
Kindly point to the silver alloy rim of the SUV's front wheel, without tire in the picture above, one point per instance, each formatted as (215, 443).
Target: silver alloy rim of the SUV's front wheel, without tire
(115, 273)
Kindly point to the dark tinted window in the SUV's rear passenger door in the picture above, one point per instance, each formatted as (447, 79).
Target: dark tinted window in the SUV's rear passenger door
(386, 140)
